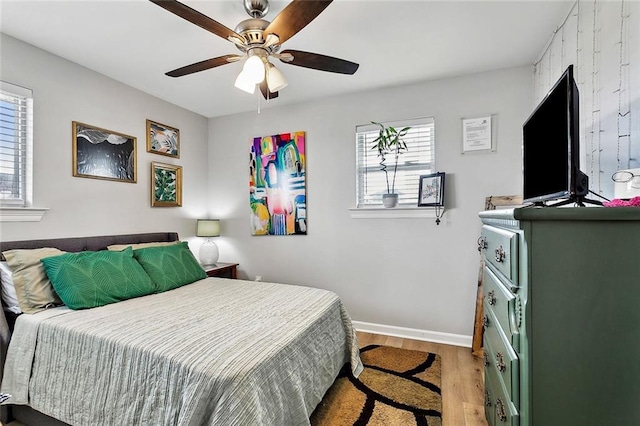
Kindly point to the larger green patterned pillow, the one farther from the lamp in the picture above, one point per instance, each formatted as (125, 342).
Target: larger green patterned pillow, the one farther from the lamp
(95, 278)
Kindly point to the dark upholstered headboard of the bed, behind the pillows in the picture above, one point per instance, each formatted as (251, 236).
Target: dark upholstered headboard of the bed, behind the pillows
(75, 244)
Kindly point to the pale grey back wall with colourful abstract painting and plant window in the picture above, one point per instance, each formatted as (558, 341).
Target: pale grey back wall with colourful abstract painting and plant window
(400, 272)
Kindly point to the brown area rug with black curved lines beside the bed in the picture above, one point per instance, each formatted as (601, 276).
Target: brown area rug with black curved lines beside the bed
(397, 387)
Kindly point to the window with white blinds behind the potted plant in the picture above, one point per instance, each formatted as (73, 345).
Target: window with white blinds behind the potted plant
(417, 160)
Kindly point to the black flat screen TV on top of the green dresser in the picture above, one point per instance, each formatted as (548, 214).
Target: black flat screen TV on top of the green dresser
(551, 147)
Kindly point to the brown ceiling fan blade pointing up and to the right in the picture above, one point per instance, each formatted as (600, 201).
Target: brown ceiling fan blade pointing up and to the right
(295, 17)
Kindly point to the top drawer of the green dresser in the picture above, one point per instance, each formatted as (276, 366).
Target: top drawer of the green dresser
(501, 251)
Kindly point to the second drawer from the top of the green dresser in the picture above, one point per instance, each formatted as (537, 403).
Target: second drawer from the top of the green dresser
(499, 300)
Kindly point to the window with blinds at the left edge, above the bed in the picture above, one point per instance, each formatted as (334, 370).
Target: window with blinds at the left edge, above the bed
(16, 124)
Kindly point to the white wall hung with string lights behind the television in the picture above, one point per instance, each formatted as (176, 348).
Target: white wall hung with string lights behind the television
(602, 40)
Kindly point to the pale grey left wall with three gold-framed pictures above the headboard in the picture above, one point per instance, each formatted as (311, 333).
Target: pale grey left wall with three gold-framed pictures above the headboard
(64, 92)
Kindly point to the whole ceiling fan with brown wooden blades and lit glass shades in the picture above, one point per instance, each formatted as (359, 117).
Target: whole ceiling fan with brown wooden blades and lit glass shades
(260, 40)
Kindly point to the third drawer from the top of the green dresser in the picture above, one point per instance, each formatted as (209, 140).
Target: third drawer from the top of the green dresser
(500, 360)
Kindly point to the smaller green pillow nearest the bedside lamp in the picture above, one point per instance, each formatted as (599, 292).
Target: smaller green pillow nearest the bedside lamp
(170, 266)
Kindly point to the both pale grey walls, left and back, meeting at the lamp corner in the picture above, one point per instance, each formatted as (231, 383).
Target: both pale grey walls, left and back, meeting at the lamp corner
(399, 272)
